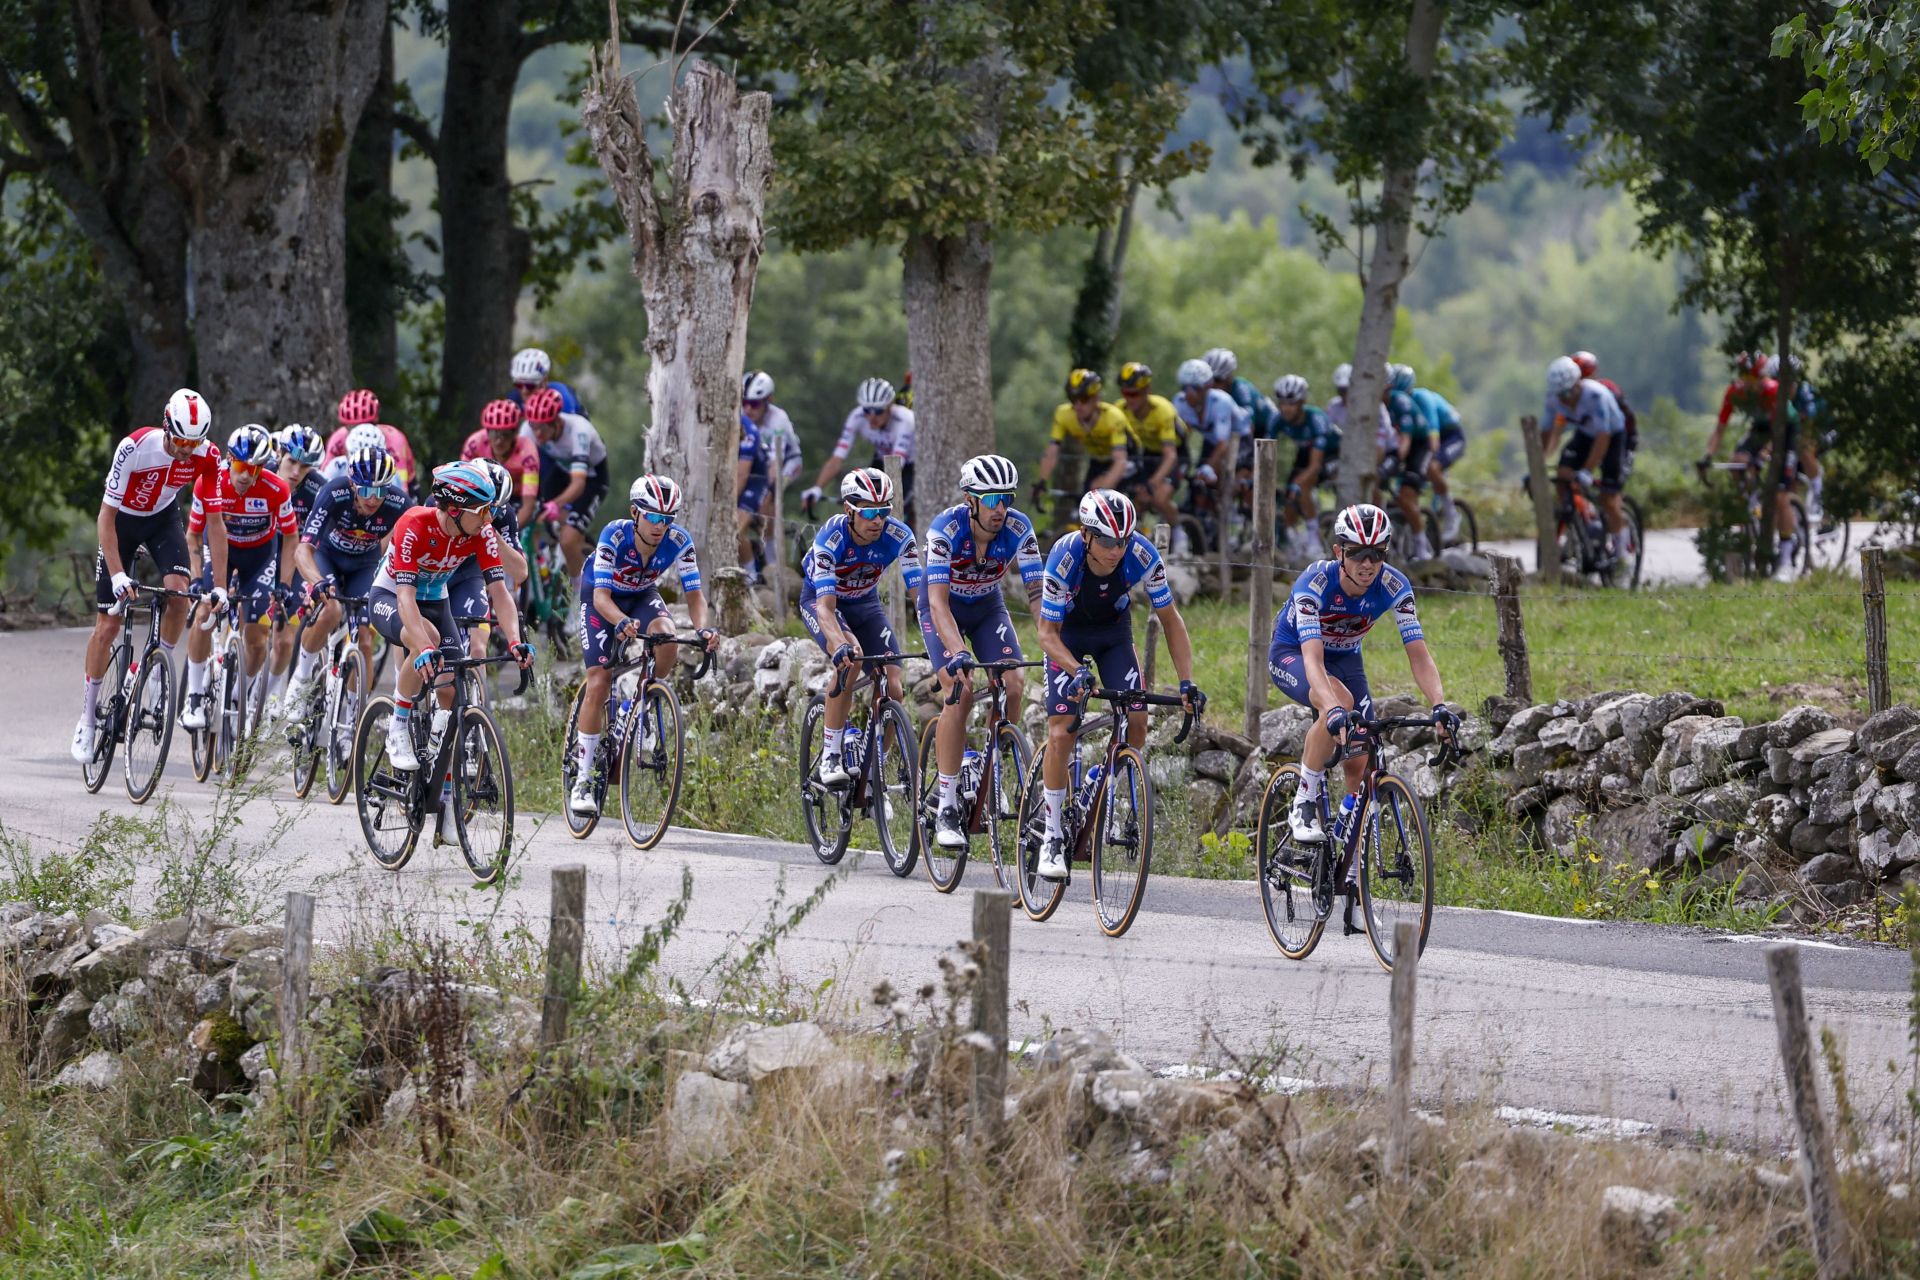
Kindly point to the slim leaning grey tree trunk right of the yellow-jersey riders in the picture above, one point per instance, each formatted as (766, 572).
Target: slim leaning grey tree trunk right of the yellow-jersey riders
(1385, 273)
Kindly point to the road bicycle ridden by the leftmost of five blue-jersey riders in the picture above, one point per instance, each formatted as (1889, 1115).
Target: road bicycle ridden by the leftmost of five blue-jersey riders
(644, 746)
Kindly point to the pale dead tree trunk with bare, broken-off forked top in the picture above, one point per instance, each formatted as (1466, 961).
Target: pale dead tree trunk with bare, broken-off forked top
(696, 262)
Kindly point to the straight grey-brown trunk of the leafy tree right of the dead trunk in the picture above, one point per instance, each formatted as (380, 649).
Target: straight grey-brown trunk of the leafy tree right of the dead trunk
(948, 343)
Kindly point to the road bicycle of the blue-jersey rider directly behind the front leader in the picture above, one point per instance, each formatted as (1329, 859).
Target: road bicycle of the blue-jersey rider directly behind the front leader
(1107, 817)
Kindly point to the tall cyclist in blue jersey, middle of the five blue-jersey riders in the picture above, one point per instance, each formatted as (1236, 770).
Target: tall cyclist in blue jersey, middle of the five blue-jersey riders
(969, 552)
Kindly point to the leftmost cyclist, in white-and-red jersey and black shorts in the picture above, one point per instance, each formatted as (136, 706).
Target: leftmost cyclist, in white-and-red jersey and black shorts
(149, 471)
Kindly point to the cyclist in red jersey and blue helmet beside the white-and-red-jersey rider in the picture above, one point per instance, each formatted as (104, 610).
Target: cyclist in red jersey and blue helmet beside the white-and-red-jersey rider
(256, 511)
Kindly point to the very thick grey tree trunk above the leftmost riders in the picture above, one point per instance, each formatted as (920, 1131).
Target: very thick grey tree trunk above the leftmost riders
(270, 229)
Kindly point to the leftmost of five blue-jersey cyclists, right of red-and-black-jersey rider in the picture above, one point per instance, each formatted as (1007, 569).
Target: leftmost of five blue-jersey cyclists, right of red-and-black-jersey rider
(625, 600)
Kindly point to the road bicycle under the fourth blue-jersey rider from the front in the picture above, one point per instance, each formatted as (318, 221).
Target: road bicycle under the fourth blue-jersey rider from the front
(878, 755)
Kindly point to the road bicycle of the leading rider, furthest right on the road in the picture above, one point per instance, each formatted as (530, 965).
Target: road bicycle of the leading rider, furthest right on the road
(1387, 834)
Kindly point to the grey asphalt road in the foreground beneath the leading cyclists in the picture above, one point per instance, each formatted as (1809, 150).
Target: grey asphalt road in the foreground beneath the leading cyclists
(1669, 1028)
